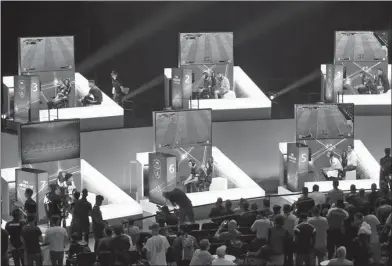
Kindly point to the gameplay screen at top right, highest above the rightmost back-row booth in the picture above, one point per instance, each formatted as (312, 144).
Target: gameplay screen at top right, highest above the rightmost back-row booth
(361, 46)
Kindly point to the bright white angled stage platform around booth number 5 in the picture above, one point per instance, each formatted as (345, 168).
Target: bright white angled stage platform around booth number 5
(366, 162)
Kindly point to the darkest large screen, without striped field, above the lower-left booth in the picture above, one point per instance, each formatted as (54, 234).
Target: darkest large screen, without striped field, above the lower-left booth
(49, 141)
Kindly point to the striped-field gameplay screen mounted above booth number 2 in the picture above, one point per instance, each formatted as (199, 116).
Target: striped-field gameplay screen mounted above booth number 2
(206, 48)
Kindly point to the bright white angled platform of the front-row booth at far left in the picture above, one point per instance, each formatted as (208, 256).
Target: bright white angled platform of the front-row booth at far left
(118, 205)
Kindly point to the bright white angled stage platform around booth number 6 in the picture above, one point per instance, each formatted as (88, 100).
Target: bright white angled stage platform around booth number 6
(245, 187)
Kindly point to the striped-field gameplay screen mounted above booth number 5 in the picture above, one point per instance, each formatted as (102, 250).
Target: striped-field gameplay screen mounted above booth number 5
(325, 121)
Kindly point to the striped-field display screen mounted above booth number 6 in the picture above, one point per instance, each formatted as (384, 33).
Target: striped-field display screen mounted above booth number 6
(175, 128)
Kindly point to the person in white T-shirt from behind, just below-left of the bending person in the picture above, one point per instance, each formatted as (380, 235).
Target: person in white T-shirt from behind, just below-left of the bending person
(156, 247)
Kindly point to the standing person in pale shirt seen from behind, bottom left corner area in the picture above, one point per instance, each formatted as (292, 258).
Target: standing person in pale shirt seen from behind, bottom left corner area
(57, 237)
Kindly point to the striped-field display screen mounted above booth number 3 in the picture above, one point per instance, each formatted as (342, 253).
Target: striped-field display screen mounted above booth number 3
(41, 54)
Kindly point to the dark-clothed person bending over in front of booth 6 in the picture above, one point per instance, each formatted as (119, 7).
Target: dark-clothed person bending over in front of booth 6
(180, 199)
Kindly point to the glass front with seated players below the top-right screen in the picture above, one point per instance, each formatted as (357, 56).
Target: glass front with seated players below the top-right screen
(365, 77)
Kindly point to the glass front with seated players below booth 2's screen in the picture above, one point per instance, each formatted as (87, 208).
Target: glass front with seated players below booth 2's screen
(212, 81)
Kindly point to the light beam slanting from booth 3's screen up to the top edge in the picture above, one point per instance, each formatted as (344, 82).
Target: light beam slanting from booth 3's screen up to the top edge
(164, 18)
